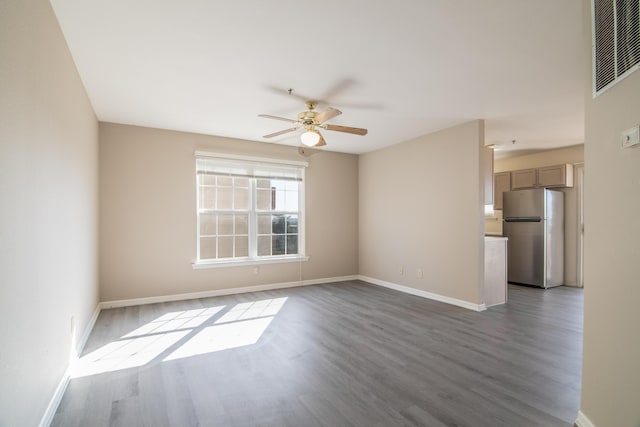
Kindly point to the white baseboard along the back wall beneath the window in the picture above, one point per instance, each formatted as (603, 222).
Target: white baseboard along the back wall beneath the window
(219, 292)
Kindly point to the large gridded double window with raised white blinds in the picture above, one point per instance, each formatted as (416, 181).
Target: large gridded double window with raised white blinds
(249, 209)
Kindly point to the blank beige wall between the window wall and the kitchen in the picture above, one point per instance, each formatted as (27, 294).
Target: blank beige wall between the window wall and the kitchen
(421, 207)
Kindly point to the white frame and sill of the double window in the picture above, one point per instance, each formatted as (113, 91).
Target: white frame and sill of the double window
(253, 213)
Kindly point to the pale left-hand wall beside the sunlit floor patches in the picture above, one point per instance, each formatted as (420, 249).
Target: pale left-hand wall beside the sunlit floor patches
(48, 214)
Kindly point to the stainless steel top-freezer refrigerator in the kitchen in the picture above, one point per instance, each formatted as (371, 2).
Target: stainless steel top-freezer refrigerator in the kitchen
(534, 224)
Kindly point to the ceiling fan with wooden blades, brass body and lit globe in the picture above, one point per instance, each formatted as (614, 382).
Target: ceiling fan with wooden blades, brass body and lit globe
(311, 121)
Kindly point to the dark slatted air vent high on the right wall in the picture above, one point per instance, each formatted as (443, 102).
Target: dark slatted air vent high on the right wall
(616, 46)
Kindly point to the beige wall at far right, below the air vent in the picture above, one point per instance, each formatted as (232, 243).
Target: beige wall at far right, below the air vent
(611, 363)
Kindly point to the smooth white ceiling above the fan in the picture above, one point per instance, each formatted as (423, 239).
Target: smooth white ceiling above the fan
(401, 69)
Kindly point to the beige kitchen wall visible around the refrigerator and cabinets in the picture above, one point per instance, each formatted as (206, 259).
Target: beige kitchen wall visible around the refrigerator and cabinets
(572, 155)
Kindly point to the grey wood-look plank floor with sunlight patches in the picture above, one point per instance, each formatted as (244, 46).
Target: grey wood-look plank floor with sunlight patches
(342, 354)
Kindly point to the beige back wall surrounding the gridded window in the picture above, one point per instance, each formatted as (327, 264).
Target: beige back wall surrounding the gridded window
(148, 222)
